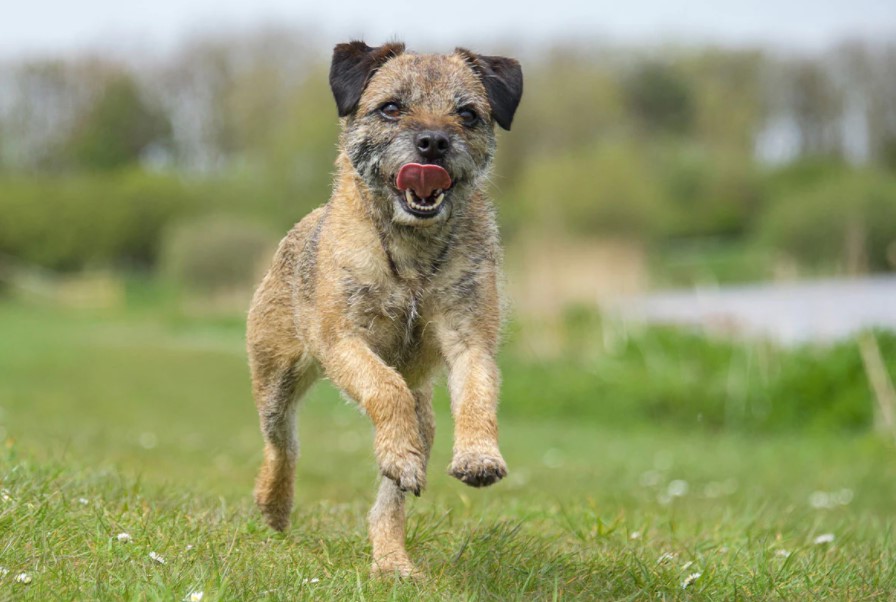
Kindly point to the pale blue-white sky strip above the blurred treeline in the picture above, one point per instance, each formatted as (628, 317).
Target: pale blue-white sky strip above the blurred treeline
(54, 27)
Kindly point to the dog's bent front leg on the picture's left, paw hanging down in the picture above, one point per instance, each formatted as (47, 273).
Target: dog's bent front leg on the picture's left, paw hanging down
(386, 398)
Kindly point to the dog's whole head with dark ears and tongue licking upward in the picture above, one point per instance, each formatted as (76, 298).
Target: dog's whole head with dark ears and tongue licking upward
(419, 129)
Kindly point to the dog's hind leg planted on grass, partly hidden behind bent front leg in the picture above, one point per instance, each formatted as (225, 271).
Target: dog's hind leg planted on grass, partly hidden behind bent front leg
(386, 521)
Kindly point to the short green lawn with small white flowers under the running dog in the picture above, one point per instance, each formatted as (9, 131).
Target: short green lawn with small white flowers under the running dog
(139, 422)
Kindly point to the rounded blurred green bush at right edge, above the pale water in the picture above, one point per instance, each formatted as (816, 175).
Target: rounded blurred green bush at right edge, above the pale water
(843, 220)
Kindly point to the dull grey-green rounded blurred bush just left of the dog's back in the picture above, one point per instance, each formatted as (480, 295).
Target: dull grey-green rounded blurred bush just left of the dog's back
(216, 254)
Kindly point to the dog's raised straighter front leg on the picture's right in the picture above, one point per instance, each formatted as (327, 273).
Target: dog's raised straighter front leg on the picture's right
(474, 381)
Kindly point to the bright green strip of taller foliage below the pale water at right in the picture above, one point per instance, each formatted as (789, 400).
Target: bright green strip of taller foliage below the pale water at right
(674, 377)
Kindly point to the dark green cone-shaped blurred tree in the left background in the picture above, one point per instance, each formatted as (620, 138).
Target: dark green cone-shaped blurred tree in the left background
(118, 128)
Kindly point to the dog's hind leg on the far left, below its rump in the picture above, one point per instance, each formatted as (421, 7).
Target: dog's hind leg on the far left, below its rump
(277, 391)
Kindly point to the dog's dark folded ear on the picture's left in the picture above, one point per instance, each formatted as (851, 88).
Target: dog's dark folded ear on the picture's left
(352, 67)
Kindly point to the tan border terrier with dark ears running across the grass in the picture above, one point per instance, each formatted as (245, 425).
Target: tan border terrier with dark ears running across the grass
(396, 276)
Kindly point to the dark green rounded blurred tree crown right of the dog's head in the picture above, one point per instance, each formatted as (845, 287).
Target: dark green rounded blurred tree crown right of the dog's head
(660, 99)
